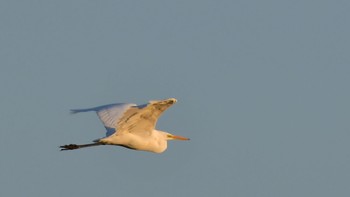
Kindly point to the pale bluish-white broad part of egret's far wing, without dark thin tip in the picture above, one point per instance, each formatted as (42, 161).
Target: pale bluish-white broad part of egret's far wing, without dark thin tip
(111, 114)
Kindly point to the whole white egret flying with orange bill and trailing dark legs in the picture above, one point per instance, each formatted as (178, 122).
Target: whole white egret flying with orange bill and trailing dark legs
(131, 126)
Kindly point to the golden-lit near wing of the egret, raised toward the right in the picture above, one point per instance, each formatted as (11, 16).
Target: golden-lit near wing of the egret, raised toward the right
(142, 119)
